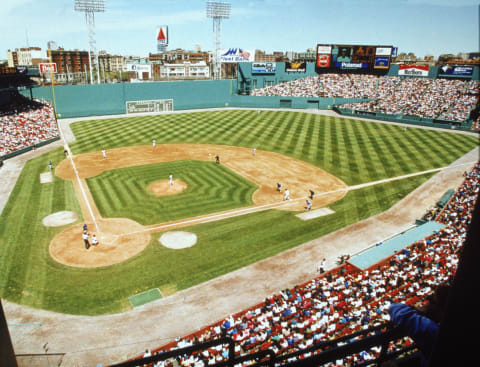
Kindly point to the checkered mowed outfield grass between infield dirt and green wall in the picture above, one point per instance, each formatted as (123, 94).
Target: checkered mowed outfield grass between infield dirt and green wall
(355, 151)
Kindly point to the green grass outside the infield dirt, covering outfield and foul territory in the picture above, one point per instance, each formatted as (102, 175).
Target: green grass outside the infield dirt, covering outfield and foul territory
(355, 151)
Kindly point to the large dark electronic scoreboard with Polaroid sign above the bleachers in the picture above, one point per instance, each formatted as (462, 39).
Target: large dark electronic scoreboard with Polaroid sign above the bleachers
(362, 58)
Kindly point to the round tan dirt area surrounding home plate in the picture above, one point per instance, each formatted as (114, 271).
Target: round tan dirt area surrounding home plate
(119, 239)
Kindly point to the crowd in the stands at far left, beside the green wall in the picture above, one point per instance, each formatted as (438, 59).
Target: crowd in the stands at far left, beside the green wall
(25, 125)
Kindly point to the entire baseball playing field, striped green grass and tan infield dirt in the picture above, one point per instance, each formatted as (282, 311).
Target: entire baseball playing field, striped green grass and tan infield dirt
(233, 207)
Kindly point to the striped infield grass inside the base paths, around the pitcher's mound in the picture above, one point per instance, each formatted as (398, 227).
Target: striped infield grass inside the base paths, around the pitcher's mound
(124, 193)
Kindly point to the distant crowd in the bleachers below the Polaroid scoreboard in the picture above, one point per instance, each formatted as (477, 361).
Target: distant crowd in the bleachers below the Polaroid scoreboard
(446, 99)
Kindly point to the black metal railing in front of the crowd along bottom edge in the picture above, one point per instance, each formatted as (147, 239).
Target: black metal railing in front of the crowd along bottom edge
(378, 336)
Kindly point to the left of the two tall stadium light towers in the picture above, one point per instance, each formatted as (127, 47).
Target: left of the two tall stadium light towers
(90, 7)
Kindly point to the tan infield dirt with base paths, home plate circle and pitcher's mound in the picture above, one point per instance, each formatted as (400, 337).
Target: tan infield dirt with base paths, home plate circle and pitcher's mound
(122, 238)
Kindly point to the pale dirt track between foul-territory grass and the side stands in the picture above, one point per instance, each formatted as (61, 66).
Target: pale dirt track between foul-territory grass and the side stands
(108, 339)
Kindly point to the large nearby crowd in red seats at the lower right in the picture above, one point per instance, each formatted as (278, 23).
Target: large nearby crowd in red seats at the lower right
(345, 299)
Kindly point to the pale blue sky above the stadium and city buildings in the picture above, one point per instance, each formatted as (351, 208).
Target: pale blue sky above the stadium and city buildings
(424, 27)
